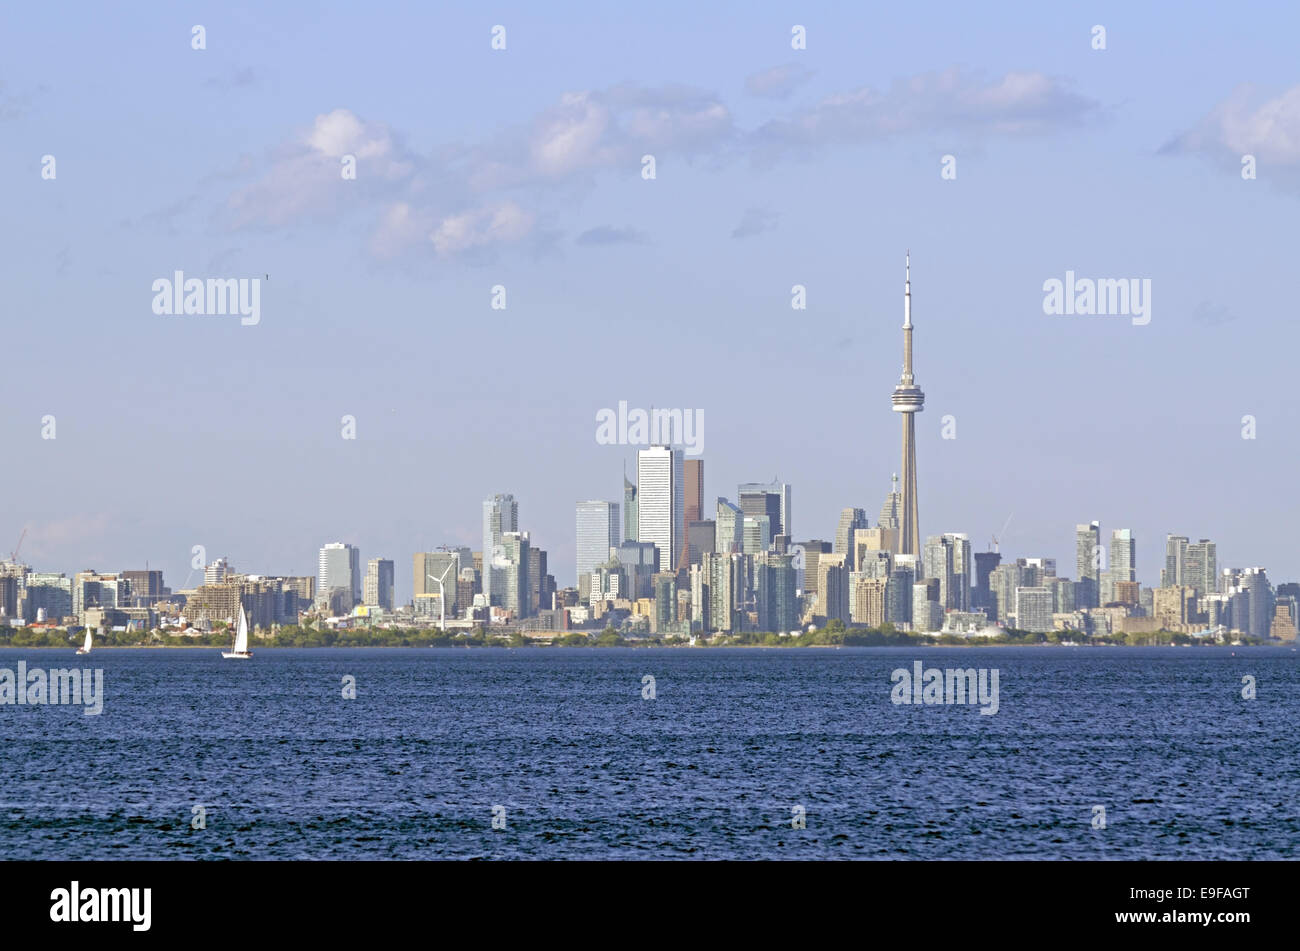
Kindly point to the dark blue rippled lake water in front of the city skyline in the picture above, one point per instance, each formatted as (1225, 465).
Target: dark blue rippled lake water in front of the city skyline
(712, 768)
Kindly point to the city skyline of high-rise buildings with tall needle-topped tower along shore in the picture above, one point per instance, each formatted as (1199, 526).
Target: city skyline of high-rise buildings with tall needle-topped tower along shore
(661, 562)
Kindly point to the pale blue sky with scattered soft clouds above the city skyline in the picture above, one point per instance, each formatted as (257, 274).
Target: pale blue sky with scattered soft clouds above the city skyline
(522, 167)
